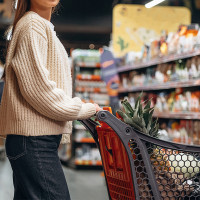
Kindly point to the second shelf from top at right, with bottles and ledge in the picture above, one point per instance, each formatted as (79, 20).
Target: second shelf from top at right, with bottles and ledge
(183, 73)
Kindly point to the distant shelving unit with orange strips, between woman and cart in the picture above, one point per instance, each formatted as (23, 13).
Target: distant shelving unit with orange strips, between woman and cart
(91, 89)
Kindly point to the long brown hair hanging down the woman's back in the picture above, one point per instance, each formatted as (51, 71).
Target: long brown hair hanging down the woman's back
(22, 7)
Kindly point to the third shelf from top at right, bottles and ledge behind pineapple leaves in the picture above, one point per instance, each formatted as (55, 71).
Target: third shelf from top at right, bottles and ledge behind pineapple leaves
(177, 104)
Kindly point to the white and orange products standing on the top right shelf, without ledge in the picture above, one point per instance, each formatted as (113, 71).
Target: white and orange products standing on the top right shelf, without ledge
(185, 40)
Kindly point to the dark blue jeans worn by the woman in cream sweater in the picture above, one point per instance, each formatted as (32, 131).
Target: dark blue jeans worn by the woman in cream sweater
(37, 171)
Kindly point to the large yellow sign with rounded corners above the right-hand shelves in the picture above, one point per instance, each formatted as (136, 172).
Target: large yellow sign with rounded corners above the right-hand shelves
(136, 25)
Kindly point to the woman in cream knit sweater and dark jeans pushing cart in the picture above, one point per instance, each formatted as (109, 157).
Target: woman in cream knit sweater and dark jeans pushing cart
(37, 107)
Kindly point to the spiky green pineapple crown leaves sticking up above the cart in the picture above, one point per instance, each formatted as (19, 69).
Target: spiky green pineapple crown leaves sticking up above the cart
(140, 118)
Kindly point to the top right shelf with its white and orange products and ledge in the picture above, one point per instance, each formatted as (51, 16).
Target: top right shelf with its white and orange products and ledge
(173, 46)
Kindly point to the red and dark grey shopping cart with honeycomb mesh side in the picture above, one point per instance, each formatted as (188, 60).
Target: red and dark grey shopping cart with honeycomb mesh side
(140, 167)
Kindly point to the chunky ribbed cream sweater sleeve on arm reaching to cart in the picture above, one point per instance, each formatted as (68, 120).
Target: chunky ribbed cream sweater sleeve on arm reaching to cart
(29, 64)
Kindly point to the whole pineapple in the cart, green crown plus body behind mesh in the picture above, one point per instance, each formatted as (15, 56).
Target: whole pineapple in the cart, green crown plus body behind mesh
(140, 118)
